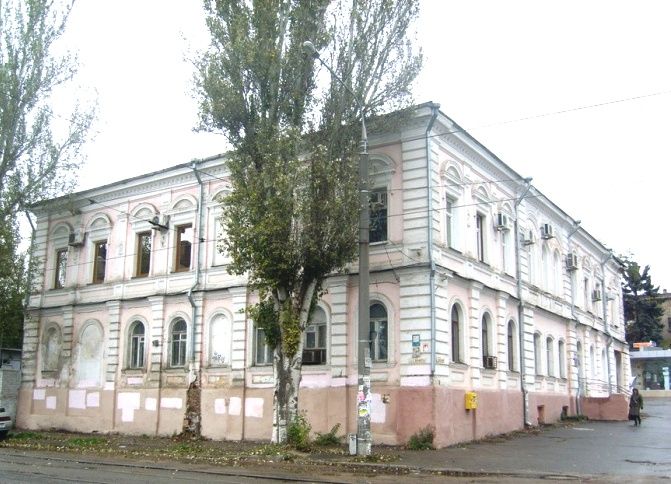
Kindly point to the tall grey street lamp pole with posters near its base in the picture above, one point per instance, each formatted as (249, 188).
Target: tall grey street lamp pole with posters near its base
(363, 434)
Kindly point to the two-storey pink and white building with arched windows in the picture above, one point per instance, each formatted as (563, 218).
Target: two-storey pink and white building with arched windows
(478, 284)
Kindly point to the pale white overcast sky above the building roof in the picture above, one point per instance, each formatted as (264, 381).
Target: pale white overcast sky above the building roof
(488, 63)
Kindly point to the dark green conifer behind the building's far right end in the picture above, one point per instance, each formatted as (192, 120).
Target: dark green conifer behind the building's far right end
(642, 310)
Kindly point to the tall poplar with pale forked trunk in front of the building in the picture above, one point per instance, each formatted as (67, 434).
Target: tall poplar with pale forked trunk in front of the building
(291, 218)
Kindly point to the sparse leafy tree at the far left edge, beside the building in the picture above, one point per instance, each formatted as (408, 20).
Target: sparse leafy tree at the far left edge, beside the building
(38, 156)
